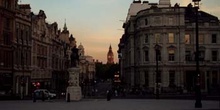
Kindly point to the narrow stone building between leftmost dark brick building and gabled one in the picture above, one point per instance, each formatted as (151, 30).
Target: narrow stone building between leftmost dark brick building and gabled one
(22, 50)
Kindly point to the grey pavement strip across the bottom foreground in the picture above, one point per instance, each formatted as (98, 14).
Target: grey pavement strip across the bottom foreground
(114, 104)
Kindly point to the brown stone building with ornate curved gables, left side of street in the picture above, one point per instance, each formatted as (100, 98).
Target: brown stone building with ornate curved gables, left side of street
(41, 51)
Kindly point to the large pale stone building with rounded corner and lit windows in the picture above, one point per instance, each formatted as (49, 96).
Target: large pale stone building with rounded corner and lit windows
(173, 29)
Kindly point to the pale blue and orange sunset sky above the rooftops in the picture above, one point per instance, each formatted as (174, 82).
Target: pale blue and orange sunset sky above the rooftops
(98, 23)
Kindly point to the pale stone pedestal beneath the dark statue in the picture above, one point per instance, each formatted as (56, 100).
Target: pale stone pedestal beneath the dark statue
(74, 90)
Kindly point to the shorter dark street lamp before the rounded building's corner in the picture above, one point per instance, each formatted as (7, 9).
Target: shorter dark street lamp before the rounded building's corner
(157, 72)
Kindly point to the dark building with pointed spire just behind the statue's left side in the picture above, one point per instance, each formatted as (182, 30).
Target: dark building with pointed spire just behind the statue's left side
(60, 59)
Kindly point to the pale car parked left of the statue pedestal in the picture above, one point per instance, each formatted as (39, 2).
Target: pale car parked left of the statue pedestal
(47, 94)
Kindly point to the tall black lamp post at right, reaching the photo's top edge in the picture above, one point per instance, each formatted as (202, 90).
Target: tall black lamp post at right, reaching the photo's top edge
(198, 103)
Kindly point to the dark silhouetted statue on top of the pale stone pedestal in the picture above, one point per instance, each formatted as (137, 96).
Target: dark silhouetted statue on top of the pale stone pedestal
(74, 57)
